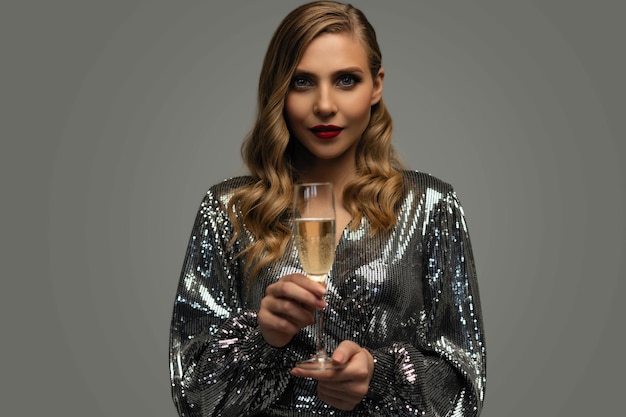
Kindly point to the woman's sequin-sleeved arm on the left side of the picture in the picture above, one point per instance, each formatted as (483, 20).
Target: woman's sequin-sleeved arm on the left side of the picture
(219, 362)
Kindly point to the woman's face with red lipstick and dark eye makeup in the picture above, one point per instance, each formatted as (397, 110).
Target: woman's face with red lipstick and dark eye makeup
(328, 105)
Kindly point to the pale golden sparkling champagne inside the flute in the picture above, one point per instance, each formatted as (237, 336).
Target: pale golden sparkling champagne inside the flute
(315, 240)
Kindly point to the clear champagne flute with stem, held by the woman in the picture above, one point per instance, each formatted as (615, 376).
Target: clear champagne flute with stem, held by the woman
(314, 234)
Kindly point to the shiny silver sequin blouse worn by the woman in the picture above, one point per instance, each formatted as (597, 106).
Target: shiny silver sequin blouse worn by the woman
(409, 296)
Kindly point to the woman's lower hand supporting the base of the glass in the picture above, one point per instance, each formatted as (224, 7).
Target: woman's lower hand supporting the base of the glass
(345, 387)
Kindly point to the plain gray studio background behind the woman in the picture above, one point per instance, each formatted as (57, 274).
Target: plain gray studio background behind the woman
(118, 115)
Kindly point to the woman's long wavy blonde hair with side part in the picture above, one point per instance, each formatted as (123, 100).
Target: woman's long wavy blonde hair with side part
(264, 205)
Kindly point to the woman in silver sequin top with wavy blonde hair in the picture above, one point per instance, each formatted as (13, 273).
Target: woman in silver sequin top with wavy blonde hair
(402, 309)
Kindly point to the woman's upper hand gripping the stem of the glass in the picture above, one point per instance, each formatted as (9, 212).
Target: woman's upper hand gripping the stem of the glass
(288, 306)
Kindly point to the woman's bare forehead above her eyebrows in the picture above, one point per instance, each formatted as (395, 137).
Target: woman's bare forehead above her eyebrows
(336, 50)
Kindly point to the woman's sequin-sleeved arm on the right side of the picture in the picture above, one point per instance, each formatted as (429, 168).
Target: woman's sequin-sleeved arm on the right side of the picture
(444, 373)
